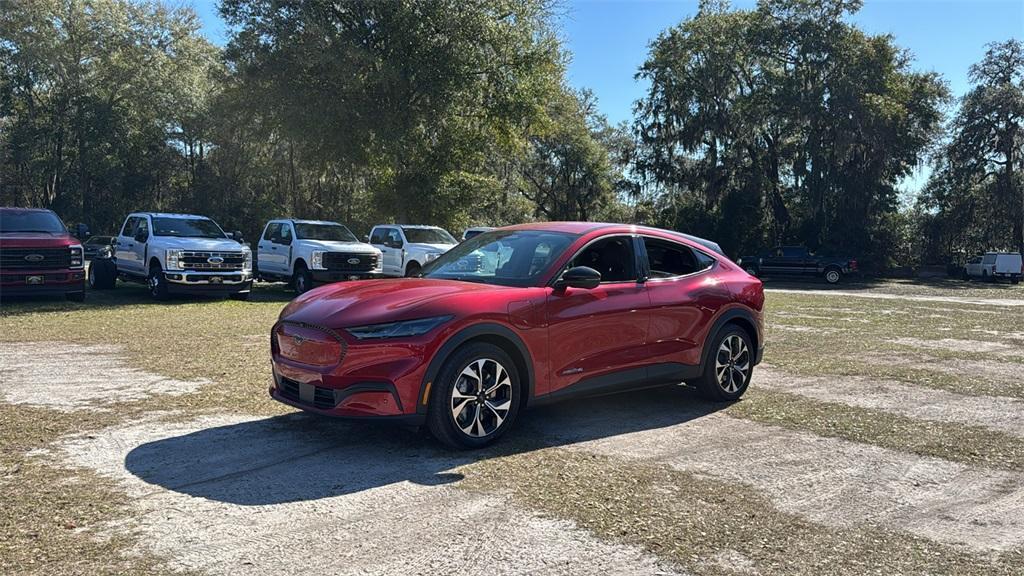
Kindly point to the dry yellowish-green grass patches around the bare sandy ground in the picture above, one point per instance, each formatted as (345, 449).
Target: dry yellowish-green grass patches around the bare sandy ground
(53, 515)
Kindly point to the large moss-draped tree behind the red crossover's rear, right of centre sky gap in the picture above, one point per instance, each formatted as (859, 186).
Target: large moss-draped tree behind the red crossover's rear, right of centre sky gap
(784, 125)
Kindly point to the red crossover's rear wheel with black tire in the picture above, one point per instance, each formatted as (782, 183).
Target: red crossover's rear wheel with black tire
(712, 385)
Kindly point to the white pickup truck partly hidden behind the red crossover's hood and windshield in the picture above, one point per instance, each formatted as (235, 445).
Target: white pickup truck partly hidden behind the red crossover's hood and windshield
(407, 249)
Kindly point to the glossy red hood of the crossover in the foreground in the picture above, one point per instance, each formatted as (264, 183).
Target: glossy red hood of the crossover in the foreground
(378, 302)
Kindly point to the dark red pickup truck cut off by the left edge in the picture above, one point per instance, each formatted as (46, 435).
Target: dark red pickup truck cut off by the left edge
(38, 256)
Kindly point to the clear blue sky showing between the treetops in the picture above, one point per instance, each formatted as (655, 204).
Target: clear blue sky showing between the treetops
(609, 39)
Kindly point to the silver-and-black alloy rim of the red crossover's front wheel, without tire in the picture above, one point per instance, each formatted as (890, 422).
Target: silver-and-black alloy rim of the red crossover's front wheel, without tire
(482, 398)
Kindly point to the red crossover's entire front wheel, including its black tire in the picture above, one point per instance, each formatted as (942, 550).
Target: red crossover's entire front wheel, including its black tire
(478, 416)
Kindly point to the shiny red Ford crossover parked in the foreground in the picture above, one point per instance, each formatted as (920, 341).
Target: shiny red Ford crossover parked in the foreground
(521, 316)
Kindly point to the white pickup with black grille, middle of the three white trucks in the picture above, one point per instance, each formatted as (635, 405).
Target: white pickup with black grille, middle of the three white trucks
(308, 253)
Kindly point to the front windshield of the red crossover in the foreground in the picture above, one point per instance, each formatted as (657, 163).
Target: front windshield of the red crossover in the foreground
(503, 258)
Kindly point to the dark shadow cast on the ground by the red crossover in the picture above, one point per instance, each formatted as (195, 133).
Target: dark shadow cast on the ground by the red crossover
(303, 458)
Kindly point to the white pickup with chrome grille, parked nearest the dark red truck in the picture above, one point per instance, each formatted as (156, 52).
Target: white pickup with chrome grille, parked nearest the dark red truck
(176, 254)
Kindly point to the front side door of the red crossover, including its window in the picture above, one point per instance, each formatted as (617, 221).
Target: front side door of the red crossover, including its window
(601, 333)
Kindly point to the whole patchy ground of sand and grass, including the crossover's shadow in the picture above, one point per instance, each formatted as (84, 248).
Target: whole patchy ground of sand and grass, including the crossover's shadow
(114, 461)
